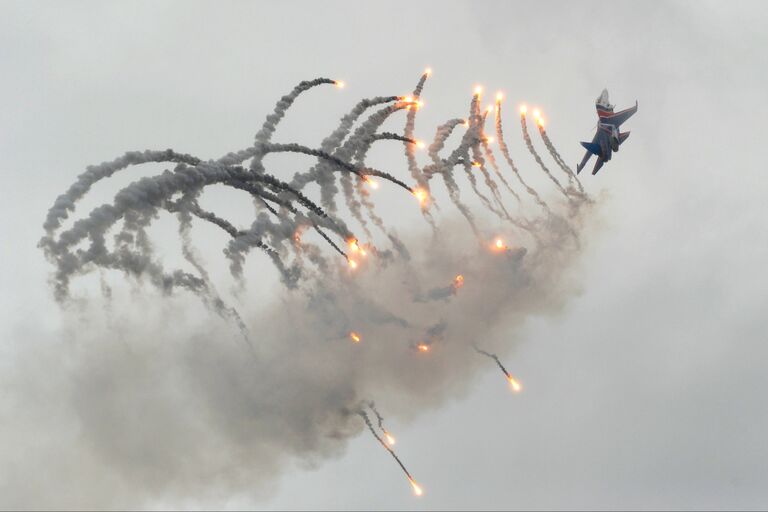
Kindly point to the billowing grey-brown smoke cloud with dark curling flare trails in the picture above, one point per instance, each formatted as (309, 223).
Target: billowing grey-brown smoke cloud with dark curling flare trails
(158, 401)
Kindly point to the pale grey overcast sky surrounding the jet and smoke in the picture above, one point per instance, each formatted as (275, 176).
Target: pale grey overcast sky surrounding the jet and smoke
(647, 391)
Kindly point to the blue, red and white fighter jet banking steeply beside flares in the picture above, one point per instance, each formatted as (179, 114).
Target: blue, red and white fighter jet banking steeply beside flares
(608, 137)
